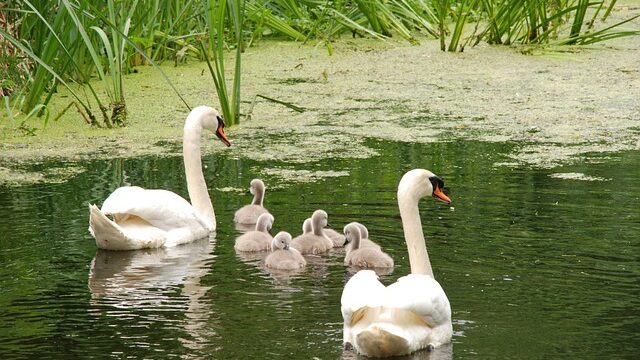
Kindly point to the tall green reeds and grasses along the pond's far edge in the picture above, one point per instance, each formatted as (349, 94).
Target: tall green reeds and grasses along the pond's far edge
(46, 44)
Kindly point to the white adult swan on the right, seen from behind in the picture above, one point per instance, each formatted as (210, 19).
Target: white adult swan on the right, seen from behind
(412, 313)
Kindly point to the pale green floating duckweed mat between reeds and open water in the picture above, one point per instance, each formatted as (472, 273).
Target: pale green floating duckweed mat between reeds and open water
(559, 107)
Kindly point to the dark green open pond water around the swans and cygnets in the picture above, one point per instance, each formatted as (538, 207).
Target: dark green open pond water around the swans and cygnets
(535, 264)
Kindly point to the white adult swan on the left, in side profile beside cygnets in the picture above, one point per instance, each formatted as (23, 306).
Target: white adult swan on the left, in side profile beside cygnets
(155, 218)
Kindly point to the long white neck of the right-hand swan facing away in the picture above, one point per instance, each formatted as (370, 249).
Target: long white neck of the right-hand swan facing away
(413, 235)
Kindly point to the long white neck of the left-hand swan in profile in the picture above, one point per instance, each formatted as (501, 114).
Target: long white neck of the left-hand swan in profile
(198, 193)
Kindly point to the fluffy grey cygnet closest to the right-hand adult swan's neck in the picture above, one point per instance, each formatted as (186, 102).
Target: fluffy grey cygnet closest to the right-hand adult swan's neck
(364, 257)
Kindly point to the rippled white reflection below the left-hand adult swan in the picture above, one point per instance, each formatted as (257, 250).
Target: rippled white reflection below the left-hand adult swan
(153, 284)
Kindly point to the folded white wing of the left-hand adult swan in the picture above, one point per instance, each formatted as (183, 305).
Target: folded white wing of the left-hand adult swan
(161, 208)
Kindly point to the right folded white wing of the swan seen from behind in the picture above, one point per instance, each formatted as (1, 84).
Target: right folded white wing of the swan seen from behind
(422, 295)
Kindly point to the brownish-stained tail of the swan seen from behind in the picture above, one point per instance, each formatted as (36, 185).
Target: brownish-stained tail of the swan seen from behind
(377, 342)
